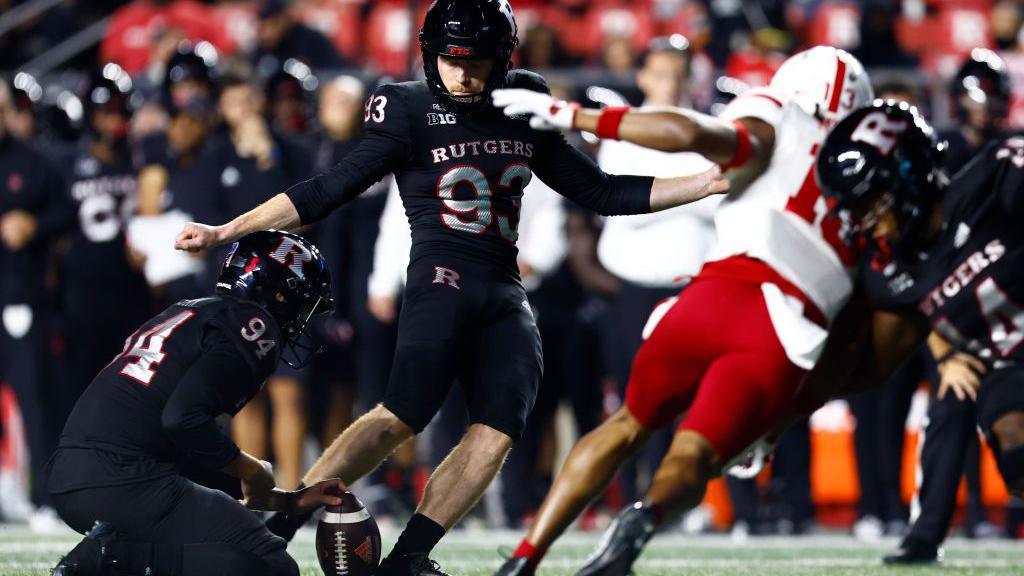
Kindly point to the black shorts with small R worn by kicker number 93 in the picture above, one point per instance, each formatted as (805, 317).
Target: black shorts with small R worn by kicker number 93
(465, 321)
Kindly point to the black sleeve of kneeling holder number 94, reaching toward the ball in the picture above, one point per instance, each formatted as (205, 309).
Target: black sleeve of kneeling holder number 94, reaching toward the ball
(222, 382)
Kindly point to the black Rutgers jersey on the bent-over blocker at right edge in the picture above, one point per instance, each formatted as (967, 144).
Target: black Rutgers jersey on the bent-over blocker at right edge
(970, 283)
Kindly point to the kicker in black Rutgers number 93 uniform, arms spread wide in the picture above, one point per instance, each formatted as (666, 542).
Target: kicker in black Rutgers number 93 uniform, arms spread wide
(461, 169)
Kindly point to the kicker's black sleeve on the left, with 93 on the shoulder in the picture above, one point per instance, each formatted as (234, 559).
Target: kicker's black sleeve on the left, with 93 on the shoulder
(383, 150)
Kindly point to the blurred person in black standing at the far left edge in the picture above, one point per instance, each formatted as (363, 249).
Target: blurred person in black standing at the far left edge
(34, 208)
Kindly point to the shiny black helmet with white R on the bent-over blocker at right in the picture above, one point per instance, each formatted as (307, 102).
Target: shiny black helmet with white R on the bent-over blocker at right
(884, 153)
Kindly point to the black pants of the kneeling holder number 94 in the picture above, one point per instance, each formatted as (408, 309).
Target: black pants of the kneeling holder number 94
(178, 527)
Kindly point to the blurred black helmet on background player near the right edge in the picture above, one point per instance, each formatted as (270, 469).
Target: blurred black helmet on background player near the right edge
(984, 78)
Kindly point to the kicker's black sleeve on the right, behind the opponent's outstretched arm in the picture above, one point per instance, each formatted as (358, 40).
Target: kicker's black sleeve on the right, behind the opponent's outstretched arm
(570, 173)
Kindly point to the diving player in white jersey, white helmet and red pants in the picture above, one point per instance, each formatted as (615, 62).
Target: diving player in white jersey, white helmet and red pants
(734, 348)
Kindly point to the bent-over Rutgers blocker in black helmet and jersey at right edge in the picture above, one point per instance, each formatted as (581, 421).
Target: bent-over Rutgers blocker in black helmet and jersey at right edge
(943, 256)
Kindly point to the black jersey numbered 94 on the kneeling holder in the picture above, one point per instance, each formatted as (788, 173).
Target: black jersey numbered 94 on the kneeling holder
(122, 409)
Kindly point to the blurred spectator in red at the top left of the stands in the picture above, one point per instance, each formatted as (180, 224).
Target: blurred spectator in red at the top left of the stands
(138, 28)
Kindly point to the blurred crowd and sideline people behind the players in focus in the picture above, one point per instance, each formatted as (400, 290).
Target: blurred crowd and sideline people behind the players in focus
(121, 121)
